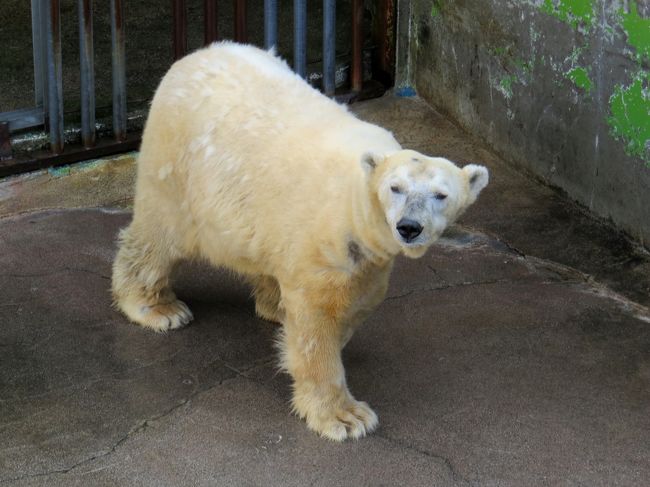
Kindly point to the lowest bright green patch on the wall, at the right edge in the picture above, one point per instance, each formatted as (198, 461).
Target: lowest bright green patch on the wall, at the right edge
(630, 116)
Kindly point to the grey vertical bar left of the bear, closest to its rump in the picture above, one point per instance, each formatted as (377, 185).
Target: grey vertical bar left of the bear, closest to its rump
(119, 69)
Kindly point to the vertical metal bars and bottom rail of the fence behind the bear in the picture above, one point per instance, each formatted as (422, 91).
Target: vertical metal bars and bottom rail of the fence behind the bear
(47, 112)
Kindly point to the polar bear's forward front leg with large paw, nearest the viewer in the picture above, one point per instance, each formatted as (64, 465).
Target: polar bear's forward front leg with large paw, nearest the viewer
(311, 353)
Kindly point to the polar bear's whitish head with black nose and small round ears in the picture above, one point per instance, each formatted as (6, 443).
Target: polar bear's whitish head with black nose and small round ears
(420, 195)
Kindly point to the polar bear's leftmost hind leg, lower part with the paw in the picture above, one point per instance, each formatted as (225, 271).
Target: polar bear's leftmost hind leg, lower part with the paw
(141, 286)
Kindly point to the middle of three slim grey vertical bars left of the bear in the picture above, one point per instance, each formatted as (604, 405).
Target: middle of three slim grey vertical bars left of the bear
(86, 59)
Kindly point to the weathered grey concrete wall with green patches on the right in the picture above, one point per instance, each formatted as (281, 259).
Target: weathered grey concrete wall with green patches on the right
(558, 86)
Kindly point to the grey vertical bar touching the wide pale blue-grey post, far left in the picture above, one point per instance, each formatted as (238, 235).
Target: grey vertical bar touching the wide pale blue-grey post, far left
(54, 75)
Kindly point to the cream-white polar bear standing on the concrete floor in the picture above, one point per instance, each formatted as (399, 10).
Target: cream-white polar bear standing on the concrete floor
(245, 165)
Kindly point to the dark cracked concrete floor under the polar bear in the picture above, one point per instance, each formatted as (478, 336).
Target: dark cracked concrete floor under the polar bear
(516, 352)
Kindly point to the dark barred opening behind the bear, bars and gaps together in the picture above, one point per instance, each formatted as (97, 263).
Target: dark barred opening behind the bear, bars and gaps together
(78, 75)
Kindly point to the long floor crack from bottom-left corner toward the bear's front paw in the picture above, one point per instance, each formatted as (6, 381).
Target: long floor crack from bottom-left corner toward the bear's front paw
(198, 390)
